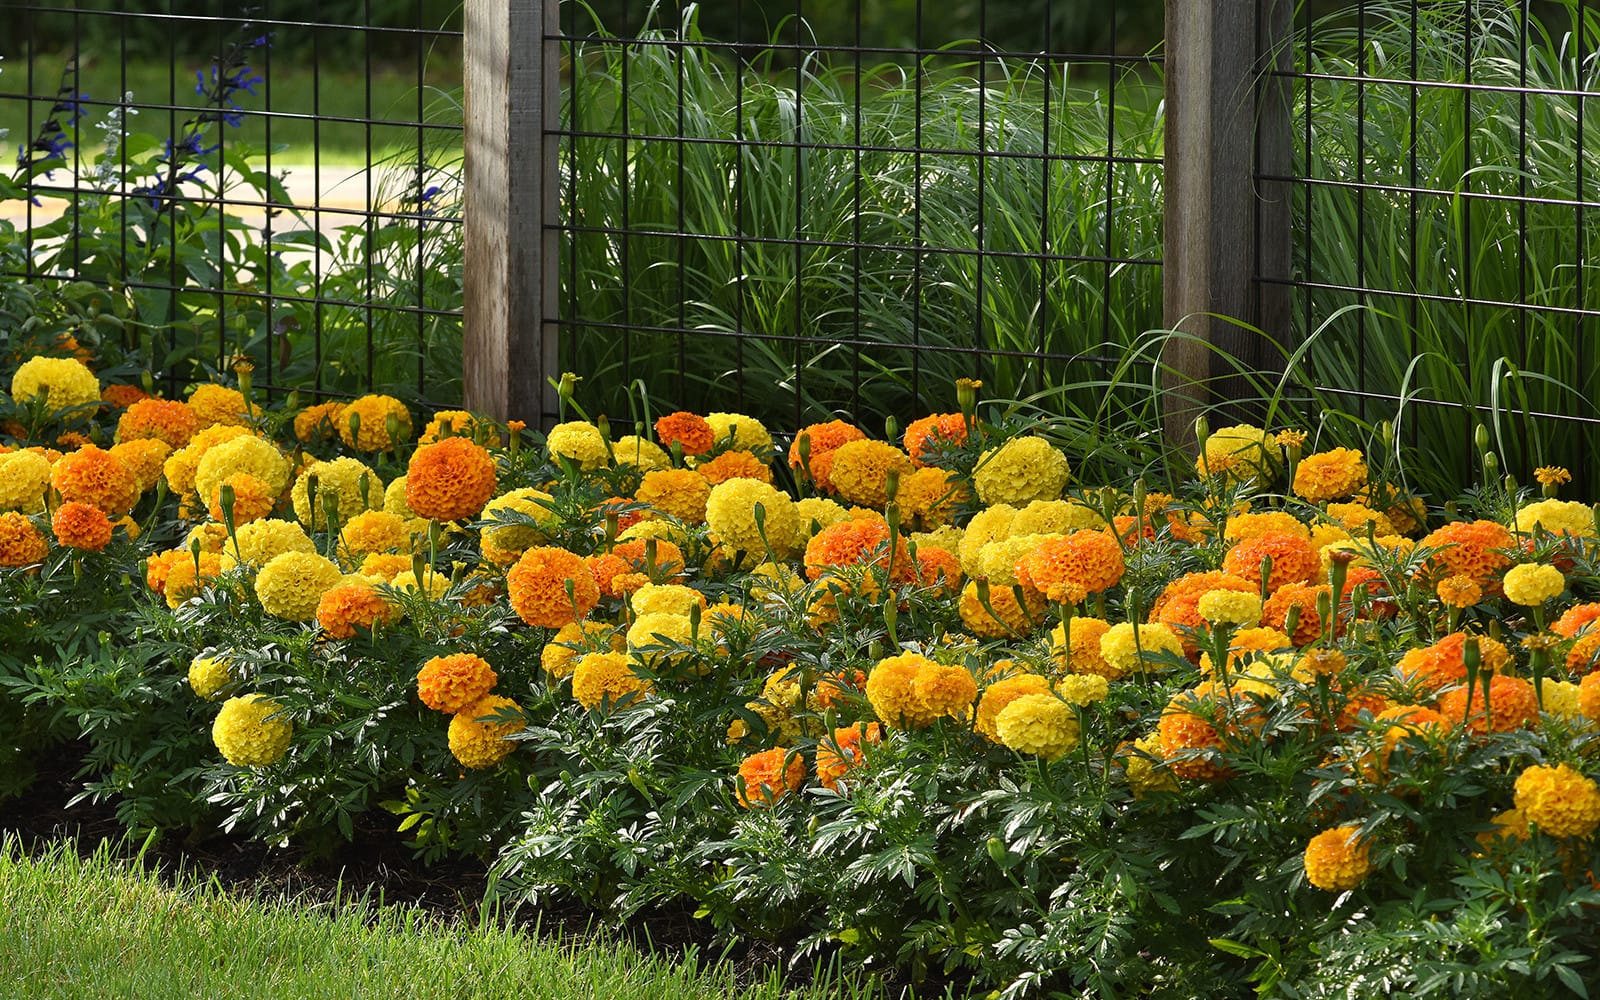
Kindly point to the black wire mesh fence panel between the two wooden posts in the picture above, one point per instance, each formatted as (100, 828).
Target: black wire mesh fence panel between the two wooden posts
(814, 215)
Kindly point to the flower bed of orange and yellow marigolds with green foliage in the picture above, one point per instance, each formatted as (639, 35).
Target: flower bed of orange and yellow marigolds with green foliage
(926, 702)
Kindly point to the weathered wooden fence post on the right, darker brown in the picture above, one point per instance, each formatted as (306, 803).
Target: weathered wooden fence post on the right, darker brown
(1228, 242)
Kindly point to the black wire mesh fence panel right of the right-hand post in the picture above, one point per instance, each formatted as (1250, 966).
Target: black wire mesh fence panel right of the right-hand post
(1444, 217)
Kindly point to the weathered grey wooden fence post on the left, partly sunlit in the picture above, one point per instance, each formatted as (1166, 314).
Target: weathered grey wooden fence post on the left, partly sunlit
(513, 100)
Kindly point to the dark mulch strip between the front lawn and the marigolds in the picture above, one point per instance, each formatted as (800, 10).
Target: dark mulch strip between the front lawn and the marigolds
(378, 868)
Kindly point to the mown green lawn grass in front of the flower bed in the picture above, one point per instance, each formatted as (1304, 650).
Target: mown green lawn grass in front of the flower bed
(94, 927)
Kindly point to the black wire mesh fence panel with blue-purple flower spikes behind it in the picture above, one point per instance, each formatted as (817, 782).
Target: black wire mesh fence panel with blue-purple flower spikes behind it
(204, 183)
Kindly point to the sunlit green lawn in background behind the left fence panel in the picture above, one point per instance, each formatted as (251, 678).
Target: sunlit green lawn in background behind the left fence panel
(294, 94)
